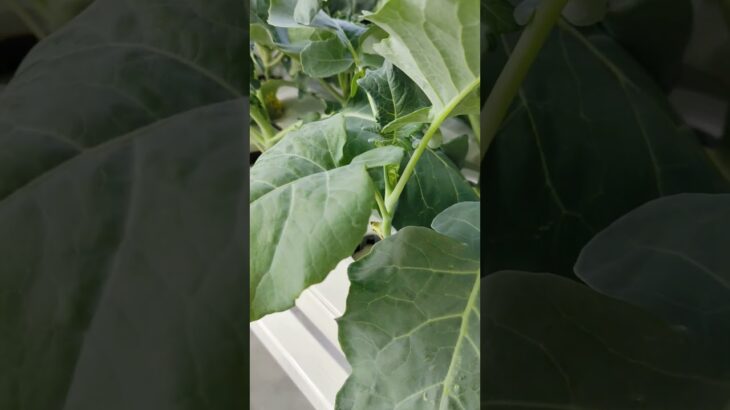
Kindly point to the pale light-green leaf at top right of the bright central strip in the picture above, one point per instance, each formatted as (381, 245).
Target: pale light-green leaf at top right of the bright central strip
(436, 43)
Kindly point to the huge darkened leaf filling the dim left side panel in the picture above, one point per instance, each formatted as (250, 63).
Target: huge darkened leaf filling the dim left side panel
(122, 212)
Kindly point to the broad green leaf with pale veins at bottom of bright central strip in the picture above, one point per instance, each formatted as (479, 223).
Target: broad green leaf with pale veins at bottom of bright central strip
(411, 328)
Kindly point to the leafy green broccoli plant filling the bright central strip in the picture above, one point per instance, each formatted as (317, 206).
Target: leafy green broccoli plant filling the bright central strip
(387, 80)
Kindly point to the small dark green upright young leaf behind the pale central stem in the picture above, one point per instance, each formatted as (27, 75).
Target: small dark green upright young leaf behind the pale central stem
(393, 95)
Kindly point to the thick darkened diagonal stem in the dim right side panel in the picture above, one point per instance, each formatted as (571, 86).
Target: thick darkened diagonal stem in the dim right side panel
(513, 74)
